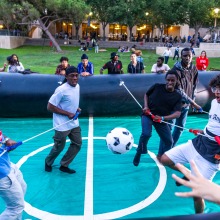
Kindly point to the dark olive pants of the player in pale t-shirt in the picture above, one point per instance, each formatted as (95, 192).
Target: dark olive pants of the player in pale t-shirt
(59, 144)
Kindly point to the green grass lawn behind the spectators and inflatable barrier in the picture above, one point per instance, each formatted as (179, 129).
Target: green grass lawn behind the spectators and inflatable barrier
(41, 59)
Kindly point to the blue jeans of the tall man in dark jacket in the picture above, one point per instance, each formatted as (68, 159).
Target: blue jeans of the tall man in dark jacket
(181, 121)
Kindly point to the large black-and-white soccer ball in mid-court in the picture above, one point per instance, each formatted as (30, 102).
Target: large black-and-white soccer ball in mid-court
(119, 140)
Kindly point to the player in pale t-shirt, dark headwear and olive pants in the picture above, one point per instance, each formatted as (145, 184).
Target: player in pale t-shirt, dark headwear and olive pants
(64, 104)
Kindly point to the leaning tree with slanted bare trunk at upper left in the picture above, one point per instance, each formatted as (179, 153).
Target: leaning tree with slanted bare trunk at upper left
(43, 13)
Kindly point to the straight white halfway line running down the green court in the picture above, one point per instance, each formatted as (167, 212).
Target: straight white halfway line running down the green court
(88, 202)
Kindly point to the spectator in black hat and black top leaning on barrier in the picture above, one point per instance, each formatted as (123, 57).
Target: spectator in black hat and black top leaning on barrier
(114, 66)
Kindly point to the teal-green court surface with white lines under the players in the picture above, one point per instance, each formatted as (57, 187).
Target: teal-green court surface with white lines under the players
(106, 185)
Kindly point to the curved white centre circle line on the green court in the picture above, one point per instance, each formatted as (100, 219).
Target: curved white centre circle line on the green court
(44, 215)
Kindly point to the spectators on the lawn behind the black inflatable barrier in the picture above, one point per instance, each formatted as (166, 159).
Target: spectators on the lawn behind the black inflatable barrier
(115, 66)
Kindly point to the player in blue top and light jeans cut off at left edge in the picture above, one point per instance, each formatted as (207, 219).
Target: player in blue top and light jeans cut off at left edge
(12, 184)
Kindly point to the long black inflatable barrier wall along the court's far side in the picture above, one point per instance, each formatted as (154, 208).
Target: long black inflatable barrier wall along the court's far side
(27, 95)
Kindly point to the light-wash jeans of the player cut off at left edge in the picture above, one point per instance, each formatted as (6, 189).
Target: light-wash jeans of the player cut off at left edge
(12, 191)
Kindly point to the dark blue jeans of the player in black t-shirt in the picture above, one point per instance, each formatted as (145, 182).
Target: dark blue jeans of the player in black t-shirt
(163, 131)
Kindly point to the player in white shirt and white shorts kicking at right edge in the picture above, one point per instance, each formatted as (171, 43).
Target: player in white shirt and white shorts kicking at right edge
(204, 150)
